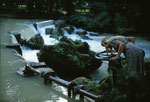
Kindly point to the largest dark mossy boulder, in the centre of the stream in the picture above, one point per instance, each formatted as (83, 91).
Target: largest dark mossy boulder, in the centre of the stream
(66, 60)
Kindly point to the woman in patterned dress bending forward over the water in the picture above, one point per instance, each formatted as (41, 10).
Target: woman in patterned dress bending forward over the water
(134, 55)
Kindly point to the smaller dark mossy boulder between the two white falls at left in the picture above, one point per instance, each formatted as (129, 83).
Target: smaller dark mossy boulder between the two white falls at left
(35, 42)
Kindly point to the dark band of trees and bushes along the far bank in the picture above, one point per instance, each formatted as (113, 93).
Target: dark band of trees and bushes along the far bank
(123, 17)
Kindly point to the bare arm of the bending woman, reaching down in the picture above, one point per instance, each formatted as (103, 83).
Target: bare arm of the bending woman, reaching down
(120, 49)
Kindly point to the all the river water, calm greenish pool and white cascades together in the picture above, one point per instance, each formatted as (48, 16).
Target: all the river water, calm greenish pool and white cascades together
(14, 88)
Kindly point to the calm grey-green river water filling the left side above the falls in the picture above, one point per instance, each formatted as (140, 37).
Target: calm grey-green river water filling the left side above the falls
(14, 88)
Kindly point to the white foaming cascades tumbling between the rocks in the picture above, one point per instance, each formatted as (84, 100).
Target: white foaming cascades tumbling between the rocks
(94, 41)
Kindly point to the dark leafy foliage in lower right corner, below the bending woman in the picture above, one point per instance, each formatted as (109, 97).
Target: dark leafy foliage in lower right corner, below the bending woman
(128, 86)
